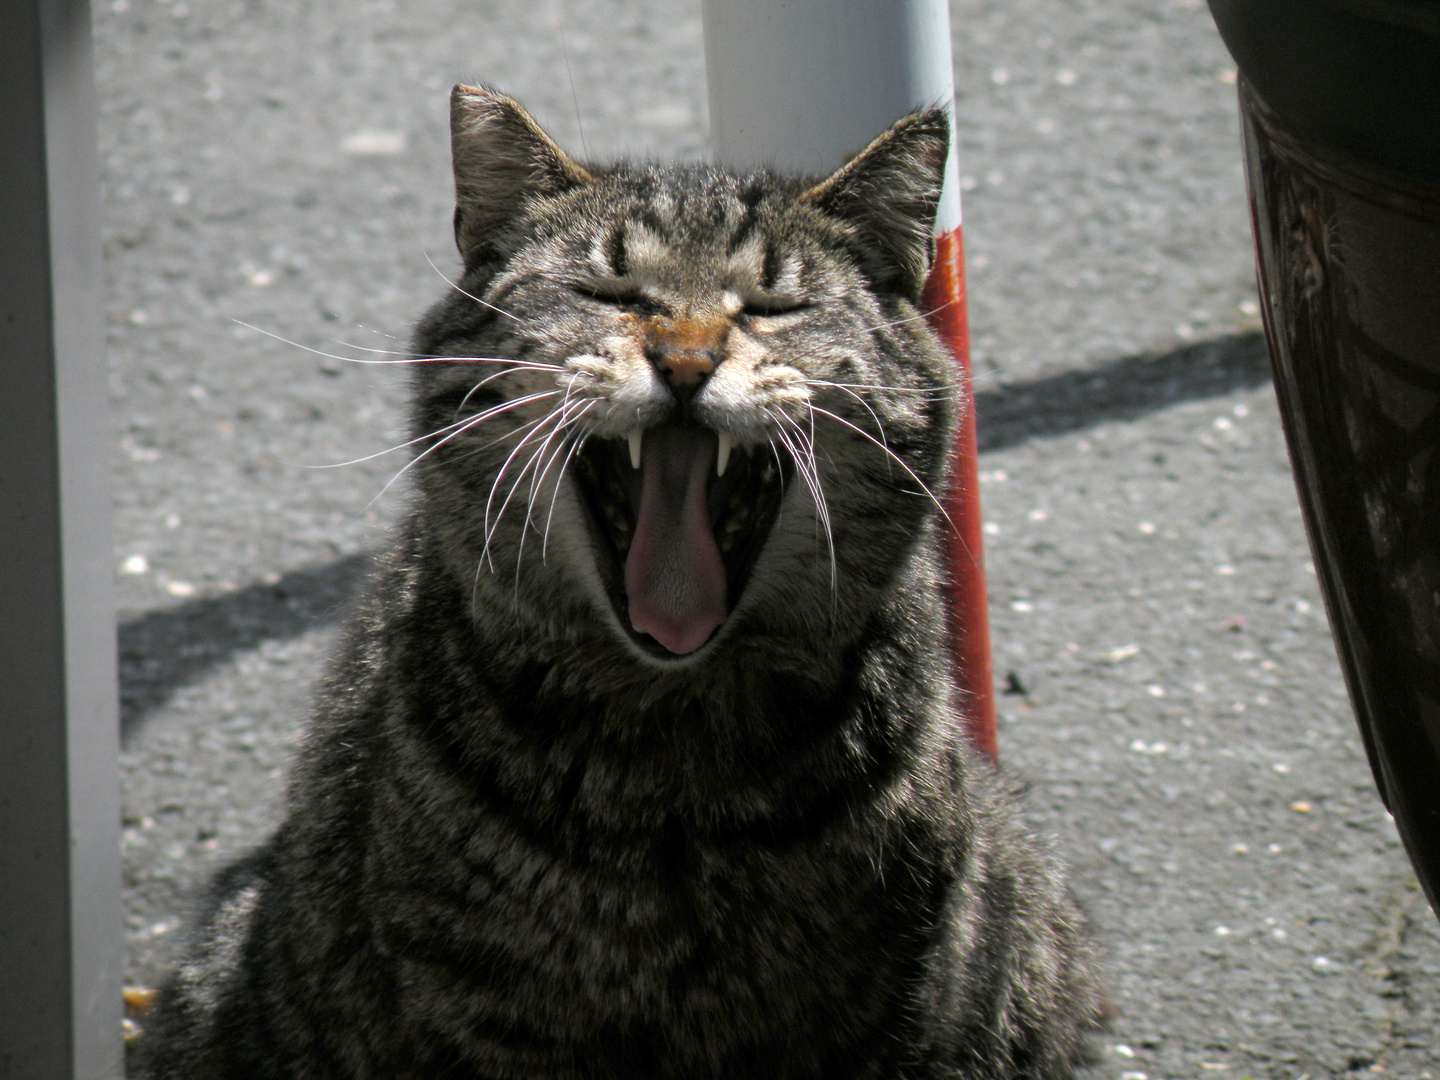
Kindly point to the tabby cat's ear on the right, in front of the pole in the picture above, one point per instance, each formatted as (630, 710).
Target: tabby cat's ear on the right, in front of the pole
(889, 195)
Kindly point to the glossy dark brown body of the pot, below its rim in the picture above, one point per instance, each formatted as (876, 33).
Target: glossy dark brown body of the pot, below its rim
(1350, 279)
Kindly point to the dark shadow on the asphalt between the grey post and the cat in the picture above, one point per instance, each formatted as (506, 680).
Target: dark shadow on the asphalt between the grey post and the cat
(165, 650)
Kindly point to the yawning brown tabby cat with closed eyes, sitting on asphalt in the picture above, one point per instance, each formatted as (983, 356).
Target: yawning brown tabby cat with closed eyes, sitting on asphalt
(642, 757)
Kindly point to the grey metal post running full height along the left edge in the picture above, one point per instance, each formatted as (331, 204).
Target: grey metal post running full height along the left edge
(60, 822)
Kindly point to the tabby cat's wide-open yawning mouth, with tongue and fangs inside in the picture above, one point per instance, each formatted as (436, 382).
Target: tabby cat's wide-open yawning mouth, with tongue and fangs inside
(679, 525)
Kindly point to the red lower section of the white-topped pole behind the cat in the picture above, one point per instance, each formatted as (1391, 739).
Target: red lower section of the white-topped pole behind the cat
(944, 300)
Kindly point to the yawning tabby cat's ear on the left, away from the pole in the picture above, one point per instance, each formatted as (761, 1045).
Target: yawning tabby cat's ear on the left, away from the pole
(502, 161)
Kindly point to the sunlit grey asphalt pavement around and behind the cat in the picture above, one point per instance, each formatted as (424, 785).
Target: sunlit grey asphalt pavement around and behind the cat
(1170, 690)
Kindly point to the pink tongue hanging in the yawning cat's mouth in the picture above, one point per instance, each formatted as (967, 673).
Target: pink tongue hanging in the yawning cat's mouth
(675, 578)
